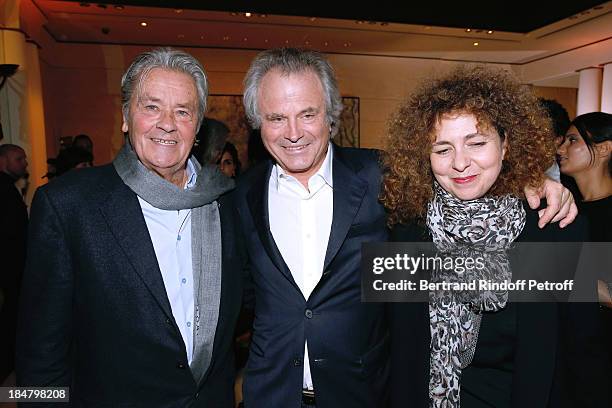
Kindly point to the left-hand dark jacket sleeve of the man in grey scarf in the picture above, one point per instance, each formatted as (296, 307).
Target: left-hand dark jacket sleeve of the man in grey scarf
(44, 331)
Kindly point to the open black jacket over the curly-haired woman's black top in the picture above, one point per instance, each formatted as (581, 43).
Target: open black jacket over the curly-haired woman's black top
(540, 378)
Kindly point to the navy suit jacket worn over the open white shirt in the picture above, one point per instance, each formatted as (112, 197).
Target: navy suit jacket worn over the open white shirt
(347, 339)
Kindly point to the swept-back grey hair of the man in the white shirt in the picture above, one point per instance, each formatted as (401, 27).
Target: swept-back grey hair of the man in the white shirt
(292, 61)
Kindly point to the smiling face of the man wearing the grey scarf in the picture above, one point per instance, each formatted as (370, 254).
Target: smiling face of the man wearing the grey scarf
(162, 122)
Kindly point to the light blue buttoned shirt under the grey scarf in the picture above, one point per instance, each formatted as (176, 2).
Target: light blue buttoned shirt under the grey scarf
(170, 232)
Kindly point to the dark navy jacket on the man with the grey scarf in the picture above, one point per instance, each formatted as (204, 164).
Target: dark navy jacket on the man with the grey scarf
(94, 311)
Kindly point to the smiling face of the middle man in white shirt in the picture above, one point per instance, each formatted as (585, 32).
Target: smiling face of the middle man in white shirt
(294, 128)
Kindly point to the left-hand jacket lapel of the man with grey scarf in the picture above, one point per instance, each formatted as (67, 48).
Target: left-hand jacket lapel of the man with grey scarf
(125, 220)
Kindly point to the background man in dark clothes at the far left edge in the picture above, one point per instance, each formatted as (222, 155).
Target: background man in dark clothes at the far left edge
(14, 222)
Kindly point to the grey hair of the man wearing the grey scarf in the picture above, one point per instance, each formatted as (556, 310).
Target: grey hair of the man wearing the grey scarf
(163, 58)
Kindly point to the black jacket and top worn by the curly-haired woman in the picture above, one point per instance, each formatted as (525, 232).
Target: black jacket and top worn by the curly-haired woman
(519, 352)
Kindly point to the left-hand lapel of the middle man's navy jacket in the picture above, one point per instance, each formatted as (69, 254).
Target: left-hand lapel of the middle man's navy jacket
(258, 205)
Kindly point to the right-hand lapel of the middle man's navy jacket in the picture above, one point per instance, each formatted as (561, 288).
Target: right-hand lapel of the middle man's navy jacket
(349, 190)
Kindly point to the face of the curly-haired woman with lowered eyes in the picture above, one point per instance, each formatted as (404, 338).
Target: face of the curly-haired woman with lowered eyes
(465, 159)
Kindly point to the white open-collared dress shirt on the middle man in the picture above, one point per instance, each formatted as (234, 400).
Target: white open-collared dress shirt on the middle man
(300, 222)
